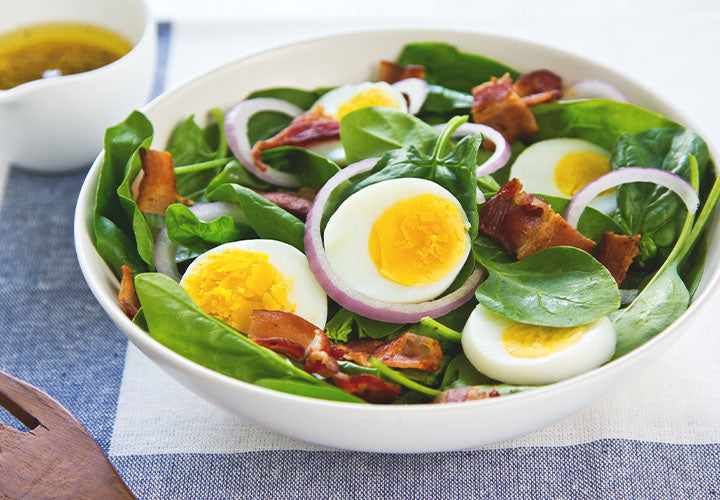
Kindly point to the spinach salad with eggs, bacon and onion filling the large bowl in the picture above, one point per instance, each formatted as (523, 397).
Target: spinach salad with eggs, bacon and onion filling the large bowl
(352, 245)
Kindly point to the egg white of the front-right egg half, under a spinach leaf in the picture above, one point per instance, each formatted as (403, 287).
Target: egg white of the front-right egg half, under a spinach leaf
(482, 345)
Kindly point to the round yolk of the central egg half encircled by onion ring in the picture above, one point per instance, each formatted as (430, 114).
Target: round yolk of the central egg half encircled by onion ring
(418, 241)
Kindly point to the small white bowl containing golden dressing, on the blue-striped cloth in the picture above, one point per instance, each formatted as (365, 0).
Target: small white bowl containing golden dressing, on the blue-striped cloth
(57, 124)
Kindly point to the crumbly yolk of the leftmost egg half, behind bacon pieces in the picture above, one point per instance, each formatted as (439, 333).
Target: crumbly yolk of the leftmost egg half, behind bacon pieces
(233, 283)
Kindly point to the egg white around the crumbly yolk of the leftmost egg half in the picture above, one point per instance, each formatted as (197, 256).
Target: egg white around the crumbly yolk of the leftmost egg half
(303, 291)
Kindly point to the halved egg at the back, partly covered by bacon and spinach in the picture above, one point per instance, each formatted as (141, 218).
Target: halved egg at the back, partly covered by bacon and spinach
(346, 98)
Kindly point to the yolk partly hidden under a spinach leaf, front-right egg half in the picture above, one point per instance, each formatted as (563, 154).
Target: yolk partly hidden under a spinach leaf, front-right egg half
(531, 341)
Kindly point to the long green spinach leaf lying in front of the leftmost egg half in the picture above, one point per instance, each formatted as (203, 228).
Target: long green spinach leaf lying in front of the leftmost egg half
(174, 320)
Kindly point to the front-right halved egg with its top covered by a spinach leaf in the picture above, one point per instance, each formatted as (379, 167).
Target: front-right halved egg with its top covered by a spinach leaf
(522, 354)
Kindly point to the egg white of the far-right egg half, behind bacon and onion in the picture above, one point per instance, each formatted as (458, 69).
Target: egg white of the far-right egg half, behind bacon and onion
(535, 168)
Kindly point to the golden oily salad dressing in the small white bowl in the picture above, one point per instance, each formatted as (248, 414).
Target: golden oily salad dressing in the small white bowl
(49, 50)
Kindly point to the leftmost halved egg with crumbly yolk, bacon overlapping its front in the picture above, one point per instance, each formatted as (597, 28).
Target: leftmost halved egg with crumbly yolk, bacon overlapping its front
(232, 280)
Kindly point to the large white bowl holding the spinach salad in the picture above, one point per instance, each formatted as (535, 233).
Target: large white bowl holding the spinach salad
(422, 428)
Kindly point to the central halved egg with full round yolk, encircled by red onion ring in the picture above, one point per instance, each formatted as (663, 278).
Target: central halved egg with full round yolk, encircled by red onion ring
(401, 240)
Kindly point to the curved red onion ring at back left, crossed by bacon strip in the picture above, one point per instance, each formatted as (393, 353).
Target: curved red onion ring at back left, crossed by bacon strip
(236, 128)
